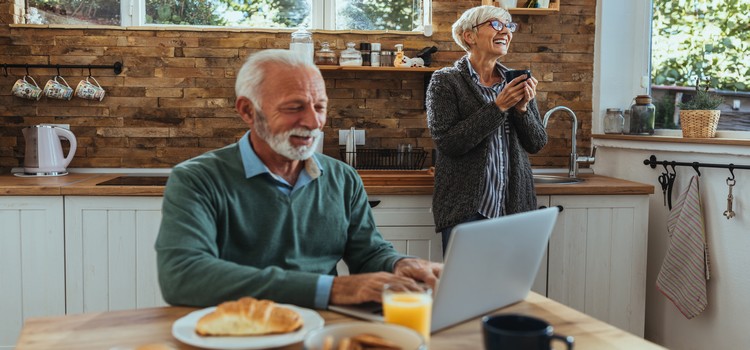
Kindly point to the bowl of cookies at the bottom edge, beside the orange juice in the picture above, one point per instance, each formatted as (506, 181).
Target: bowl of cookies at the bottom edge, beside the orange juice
(404, 337)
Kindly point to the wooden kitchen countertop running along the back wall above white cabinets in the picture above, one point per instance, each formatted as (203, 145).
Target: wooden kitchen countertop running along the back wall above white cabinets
(380, 182)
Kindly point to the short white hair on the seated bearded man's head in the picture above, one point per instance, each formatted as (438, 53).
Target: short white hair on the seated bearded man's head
(253, 71)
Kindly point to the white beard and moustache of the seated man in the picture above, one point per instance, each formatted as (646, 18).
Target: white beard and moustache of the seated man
(280, 142)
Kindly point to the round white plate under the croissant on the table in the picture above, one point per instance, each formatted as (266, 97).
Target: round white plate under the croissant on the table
(184, 330)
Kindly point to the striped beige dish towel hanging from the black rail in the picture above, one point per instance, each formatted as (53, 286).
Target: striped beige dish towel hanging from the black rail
(685, 269)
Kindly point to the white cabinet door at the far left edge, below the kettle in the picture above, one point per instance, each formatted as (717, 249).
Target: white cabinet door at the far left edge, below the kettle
(32, 273)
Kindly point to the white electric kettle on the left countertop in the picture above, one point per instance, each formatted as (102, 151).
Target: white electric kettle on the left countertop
(44, 150)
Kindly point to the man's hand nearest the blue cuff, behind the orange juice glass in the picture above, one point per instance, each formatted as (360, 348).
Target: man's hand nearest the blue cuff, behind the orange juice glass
(360, 288)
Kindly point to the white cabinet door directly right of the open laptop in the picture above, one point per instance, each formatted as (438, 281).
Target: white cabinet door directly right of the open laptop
(597, 258)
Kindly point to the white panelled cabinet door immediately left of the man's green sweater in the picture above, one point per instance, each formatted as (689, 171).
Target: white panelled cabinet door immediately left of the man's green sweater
(111, 262)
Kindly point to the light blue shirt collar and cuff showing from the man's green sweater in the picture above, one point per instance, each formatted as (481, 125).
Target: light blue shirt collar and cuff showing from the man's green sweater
(254, 166)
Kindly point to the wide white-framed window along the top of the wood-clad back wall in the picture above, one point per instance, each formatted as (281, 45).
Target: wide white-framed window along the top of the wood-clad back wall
(398, 15)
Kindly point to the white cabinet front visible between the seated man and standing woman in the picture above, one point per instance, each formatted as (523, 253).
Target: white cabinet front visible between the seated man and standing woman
(407, 222)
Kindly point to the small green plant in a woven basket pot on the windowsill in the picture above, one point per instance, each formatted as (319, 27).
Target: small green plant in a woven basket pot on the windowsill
(700, 116)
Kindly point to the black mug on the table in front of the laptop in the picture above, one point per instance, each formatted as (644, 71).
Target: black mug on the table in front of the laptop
(513, 331)
